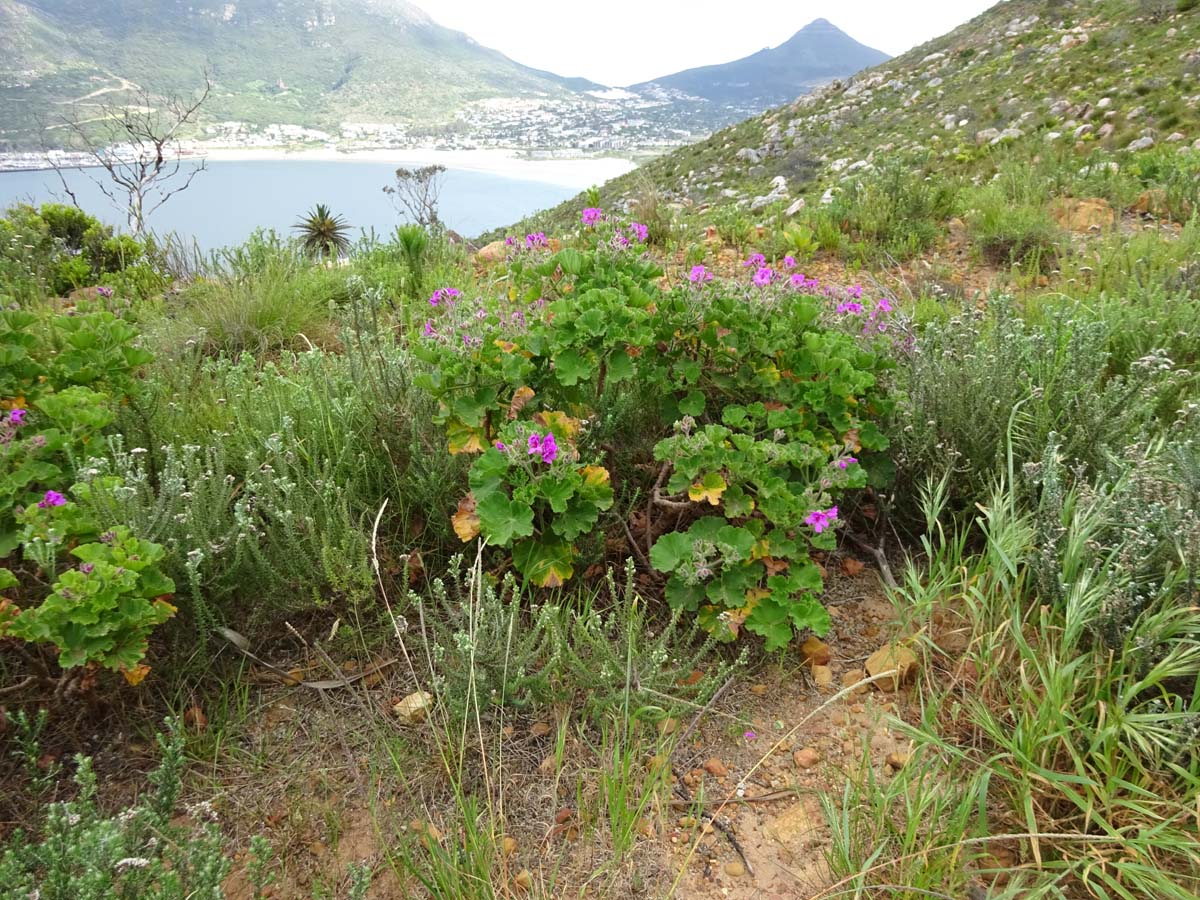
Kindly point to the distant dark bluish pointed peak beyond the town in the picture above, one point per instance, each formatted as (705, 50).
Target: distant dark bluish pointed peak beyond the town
(818, 53)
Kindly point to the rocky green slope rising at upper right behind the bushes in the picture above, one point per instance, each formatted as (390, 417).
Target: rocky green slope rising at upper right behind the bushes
(1075, 80)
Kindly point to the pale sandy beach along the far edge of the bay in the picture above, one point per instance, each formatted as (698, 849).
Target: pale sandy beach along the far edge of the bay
(577, 173)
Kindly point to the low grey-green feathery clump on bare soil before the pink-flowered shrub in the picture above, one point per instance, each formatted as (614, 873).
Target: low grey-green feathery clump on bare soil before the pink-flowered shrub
(487, 641)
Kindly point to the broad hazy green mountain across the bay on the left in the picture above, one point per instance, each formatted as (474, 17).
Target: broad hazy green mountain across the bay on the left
(309, 63)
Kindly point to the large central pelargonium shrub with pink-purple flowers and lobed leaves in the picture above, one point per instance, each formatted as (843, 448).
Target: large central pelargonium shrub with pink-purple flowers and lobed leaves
(765, 409)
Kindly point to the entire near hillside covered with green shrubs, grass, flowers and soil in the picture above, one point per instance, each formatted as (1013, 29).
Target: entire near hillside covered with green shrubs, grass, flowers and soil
(686, 551)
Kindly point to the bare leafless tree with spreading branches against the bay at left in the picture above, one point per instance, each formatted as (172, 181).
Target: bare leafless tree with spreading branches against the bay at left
(139, 146)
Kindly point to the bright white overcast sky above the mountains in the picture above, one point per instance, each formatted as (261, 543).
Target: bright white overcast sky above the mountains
(623, 44)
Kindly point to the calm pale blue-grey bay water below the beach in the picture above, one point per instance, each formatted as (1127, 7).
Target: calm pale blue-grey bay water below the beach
(229, 201)
